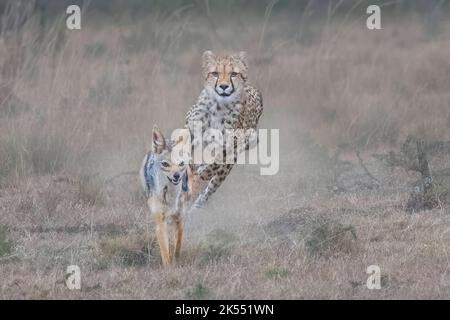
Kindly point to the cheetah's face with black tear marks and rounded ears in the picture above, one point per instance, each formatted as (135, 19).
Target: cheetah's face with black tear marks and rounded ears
(225, 75)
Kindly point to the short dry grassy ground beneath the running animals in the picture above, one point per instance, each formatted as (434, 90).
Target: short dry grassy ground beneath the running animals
(272, 245)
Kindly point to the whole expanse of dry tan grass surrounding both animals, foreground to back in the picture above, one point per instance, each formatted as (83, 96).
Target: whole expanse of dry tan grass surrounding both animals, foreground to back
(77, 108)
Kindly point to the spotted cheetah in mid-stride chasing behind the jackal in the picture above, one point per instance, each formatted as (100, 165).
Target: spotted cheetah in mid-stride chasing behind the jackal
(227, 101)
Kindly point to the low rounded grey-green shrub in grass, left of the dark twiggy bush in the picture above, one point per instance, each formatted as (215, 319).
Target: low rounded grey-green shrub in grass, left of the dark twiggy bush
(326, 237)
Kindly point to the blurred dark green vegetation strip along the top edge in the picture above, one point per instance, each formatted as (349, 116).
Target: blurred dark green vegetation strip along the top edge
(432, 11)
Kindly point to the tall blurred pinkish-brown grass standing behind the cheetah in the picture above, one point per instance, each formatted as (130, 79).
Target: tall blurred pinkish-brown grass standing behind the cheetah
(86, 100)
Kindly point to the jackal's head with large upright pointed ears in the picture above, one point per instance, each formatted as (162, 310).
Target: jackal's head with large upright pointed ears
(172, 156)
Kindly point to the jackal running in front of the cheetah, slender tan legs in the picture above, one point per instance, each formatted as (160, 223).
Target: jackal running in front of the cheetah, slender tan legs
(164, 178)
